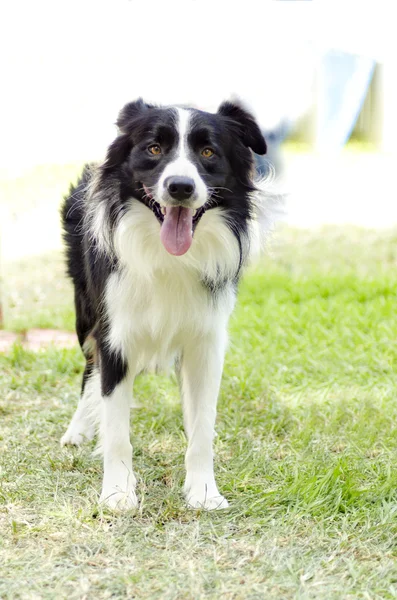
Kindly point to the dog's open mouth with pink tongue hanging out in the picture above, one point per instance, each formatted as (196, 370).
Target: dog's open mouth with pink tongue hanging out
(178, 223)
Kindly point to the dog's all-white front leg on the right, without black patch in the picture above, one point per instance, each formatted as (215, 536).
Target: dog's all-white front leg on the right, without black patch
(201, 372)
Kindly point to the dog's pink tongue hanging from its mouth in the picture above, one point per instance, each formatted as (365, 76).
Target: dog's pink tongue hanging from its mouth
(176, 230)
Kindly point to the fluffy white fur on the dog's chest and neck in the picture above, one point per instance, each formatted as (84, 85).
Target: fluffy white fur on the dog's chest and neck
(157, 301)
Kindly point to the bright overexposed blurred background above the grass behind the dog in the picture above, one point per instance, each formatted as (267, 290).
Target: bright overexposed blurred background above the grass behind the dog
(319, 76)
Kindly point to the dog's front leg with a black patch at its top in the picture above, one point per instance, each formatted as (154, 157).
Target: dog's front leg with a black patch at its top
(119, 482)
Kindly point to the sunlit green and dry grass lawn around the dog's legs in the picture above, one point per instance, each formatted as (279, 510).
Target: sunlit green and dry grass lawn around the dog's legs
(306, 446)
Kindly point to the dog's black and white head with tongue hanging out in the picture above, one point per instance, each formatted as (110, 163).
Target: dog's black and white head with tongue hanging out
(182, 162)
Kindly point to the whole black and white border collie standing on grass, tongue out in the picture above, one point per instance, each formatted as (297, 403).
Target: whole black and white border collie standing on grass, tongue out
(157, 237)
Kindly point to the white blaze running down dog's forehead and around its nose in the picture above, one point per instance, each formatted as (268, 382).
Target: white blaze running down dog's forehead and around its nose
(182, 165)
